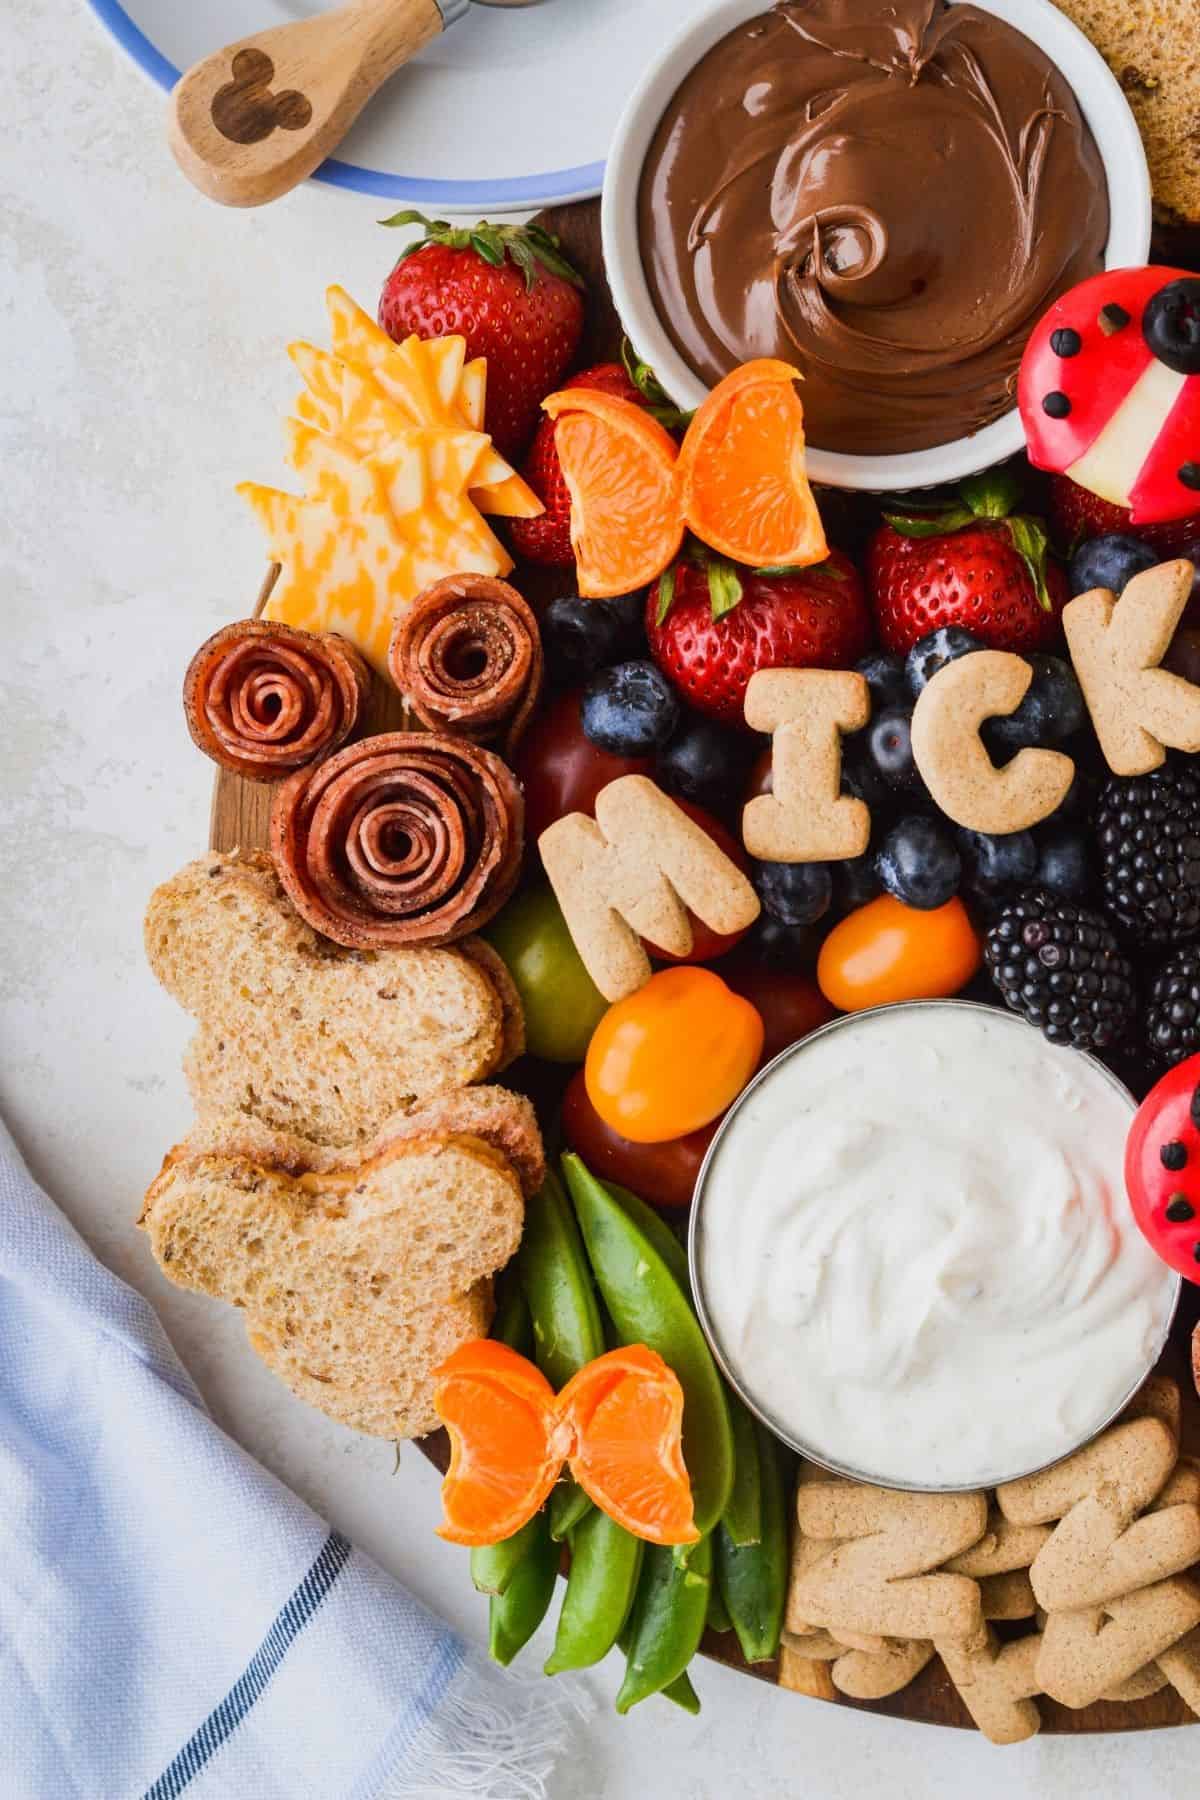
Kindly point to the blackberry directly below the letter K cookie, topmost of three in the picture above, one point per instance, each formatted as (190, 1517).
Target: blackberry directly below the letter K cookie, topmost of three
(1149, 836)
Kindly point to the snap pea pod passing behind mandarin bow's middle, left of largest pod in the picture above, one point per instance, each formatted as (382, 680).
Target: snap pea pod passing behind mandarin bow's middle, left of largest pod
(568, 1329)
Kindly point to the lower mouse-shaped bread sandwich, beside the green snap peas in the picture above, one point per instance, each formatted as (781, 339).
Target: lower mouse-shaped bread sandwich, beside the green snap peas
(359, 1272)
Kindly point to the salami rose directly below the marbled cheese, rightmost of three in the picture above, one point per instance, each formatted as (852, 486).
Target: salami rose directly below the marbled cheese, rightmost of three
(469, 660)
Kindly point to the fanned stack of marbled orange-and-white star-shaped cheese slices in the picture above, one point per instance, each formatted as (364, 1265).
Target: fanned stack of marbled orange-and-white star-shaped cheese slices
(395, 469)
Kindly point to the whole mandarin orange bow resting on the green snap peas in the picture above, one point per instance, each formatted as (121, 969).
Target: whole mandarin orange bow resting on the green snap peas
(618, 1425)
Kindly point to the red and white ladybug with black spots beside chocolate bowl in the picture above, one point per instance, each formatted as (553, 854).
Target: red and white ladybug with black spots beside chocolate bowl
(1111, 391)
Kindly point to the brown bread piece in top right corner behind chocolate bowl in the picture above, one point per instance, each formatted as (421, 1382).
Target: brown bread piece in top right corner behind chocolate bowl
(1154, 51)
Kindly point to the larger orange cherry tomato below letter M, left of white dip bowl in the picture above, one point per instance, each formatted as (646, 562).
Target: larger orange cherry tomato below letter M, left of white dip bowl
(674, 1056)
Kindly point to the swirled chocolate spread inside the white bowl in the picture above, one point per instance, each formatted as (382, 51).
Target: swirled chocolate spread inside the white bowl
(888, 193)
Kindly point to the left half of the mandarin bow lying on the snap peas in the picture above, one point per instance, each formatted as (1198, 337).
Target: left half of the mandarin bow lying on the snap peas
(506, 1443)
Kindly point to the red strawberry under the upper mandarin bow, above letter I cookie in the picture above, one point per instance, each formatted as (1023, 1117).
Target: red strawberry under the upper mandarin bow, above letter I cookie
(712, 625)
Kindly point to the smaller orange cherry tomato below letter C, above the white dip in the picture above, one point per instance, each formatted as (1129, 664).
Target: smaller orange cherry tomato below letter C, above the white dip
(888, 953)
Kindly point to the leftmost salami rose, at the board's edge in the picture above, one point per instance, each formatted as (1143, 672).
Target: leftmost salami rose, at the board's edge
(265, 699)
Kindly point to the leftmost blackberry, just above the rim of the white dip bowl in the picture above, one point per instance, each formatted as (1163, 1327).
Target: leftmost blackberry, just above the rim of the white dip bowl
(1062, 967)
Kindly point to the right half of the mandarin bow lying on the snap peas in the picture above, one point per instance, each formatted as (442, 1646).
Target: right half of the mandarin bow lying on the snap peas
(627, 1416)
